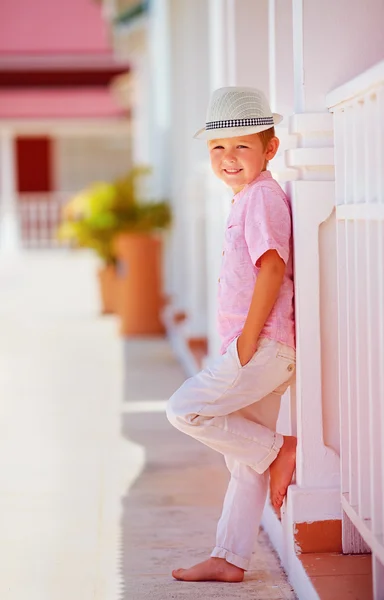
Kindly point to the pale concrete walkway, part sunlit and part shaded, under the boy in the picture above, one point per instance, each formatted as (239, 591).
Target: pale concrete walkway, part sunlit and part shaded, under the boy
(99, 497)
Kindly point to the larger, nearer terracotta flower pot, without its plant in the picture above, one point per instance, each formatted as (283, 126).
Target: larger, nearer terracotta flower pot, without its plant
(139, 283)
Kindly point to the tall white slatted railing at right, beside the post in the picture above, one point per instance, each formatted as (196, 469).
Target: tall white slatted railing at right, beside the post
(358, 109)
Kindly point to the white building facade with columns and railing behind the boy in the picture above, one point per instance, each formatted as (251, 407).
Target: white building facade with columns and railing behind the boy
(321, 64)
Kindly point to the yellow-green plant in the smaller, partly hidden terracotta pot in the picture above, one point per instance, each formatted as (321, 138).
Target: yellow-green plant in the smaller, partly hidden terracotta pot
(89, 222)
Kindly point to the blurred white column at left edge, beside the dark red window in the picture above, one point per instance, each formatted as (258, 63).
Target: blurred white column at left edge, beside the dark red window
(9, 225)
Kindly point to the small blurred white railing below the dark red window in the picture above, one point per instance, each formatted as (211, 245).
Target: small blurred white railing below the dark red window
(39, 217)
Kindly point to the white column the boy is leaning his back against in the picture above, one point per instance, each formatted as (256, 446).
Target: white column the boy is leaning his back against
(315, 497)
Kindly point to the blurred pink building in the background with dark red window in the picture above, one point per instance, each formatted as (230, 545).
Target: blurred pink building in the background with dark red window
(60, 126)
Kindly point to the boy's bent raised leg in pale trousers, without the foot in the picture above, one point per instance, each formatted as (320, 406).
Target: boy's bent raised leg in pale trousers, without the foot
(207, 406)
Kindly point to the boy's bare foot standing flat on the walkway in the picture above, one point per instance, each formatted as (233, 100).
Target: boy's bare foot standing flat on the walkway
(213, 569)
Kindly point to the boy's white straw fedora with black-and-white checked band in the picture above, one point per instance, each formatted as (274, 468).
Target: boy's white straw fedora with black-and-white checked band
(237, 111)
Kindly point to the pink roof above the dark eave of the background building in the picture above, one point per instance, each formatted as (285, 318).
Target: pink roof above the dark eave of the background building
(57, 26)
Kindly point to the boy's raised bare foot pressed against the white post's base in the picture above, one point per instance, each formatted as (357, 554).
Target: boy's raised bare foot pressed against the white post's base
(281, 471)
